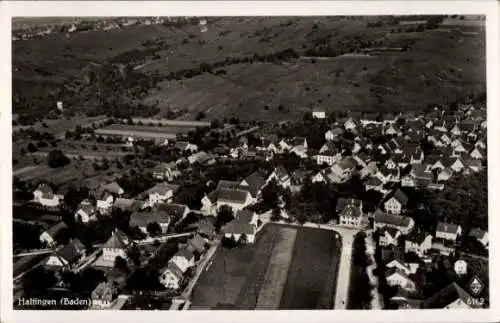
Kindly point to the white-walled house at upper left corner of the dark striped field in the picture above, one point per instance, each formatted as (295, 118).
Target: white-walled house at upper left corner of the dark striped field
(244, 223)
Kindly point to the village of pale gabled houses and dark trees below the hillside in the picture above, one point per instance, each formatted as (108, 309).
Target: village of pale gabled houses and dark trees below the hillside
(365, 177)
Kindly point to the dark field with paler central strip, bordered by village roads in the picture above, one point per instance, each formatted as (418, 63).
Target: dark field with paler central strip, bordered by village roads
(287, 268)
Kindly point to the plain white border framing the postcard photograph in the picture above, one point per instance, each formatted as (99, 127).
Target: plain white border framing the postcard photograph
(244, 8)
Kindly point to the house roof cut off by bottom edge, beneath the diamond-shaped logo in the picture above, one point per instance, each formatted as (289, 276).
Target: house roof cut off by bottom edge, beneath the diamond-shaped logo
(451, 297)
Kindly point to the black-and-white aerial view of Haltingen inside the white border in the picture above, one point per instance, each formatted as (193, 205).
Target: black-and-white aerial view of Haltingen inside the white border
(249, 163)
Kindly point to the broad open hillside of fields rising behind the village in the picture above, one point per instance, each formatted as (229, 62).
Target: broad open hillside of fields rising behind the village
(440, 65)
